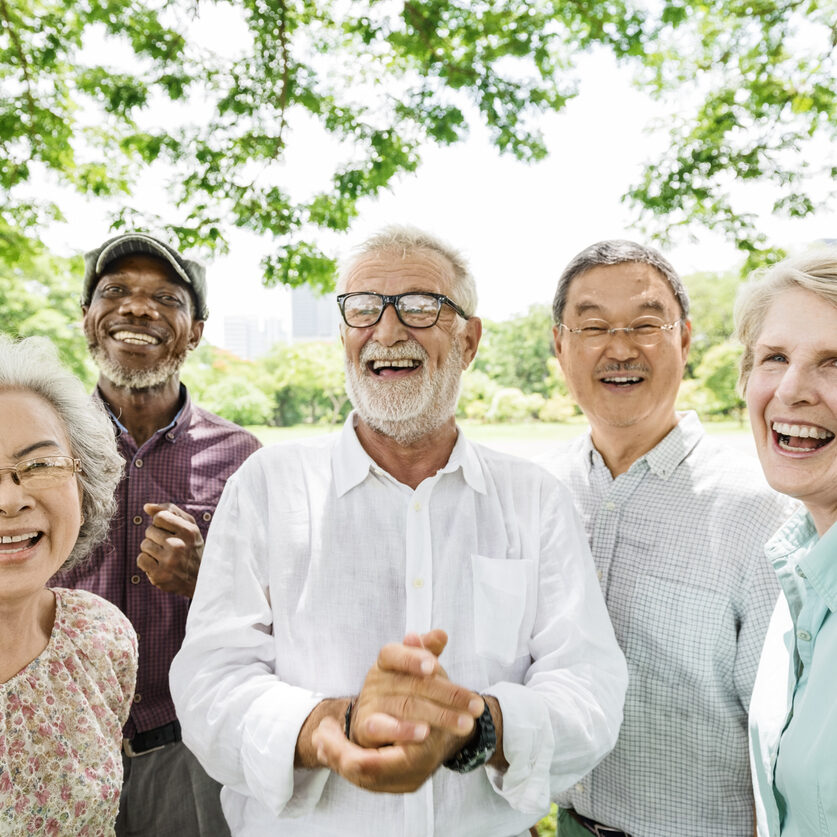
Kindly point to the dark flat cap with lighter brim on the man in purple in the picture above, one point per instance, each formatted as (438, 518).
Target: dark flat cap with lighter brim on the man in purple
(191, 272)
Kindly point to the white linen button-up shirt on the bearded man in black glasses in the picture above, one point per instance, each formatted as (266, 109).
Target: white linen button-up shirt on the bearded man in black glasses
(317, 558)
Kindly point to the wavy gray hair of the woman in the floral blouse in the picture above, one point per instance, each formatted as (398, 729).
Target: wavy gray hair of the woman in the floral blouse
(32, 365)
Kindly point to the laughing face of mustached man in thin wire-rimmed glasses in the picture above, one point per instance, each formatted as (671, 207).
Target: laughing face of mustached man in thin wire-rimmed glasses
(627, 392)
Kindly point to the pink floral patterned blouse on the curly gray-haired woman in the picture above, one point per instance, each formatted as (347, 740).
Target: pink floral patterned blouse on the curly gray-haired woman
(61, 723)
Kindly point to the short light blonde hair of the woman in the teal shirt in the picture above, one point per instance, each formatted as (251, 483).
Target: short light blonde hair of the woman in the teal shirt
(814, 271)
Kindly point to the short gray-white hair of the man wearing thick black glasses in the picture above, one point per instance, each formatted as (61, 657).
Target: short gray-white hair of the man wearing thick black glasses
(405, 240)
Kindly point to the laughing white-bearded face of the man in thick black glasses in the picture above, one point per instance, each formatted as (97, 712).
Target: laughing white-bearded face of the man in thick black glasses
(404, 382)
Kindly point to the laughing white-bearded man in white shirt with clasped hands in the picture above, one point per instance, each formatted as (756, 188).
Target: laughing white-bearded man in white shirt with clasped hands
(395, 609)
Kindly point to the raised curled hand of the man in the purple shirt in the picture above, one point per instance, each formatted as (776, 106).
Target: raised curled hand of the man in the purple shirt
(172, 549)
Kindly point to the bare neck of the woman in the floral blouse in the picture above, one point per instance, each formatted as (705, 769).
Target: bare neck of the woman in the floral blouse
(25, 629)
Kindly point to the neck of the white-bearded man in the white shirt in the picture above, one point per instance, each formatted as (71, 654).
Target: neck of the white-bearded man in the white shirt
(409, 464)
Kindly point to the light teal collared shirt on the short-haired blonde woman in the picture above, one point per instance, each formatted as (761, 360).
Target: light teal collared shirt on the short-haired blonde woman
(793, 711)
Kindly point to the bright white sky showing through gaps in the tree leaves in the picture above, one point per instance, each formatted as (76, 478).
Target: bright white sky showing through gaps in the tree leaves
(517, 224)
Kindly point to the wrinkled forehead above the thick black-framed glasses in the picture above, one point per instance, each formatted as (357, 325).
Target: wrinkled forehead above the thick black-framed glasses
(396, 271)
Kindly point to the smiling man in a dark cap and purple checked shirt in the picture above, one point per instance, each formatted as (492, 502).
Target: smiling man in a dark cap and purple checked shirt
(144, 308)
